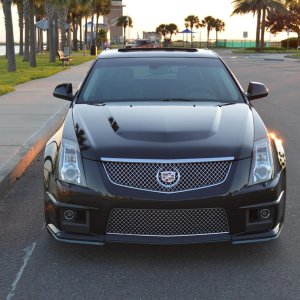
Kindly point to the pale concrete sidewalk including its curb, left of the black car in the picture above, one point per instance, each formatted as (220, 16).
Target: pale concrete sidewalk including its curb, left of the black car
(28, 118)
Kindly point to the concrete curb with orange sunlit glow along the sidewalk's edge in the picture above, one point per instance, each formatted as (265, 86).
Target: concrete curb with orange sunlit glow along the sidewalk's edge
(29, 151)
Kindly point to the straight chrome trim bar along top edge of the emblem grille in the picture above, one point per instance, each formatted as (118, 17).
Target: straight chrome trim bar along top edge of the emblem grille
(167, 161)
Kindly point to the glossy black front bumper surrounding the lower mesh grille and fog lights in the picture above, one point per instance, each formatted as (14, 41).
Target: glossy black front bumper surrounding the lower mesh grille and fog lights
(240, 208)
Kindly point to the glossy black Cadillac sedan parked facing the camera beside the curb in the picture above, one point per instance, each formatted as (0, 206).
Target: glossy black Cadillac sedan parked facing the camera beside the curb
(163, 146)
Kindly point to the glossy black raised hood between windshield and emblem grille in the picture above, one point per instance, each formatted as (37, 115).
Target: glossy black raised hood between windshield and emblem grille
(164, 130)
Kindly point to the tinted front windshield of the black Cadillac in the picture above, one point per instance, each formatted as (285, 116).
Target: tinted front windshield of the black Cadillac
(159, 79)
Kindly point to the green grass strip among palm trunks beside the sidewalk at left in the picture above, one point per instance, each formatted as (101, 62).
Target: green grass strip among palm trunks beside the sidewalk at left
(8, 80)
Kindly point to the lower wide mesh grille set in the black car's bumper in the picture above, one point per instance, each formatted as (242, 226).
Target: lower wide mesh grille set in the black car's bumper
(176, 222)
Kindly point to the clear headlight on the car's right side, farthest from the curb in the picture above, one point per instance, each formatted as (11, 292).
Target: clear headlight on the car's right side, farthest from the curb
(262, 163)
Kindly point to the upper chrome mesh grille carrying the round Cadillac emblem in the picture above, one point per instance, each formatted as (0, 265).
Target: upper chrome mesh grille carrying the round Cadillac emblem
(147, 175)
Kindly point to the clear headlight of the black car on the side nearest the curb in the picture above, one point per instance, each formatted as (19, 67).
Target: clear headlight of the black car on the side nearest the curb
(70, 167)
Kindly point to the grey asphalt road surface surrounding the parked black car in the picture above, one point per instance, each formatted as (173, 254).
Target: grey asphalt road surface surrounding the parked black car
(33, 266)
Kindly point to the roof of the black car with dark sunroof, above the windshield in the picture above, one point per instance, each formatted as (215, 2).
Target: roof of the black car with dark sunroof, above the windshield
(158, 52)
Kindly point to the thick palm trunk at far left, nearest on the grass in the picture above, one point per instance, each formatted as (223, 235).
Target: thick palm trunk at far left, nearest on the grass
(10, 45)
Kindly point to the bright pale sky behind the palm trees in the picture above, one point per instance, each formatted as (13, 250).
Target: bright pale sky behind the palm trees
(147, 15)
